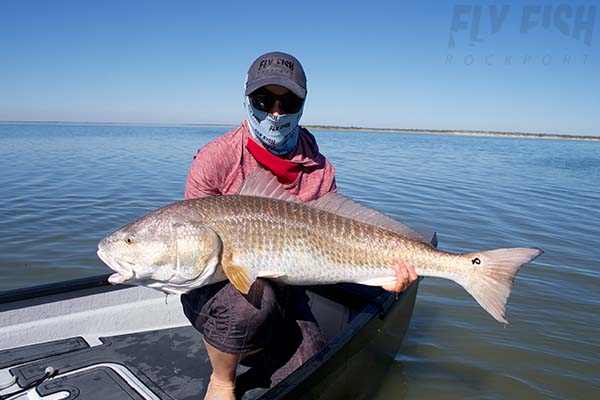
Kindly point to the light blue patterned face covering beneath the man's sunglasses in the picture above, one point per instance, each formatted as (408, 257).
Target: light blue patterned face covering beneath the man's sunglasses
(278, 134)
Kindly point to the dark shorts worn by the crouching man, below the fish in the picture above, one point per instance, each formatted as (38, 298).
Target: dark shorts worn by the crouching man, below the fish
(275, 318)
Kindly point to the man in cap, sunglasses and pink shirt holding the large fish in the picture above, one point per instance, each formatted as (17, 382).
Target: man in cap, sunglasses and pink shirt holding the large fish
(234, 325)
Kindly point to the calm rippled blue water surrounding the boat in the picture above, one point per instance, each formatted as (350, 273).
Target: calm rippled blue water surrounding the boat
(63, 187)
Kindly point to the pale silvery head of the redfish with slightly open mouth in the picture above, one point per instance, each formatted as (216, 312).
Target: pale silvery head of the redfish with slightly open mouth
(169, 249)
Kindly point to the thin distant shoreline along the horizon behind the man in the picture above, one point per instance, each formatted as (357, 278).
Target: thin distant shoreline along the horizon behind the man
(346, 128)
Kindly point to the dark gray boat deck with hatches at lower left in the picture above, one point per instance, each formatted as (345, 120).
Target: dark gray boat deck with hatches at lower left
(158, 364)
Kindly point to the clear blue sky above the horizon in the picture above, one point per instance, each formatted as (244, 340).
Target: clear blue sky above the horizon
(375, 64)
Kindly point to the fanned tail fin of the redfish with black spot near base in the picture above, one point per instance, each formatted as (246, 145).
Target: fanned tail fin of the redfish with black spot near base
(495, 271)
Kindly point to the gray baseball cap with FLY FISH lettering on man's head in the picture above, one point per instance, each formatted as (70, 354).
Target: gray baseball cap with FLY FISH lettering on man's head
(277, 69)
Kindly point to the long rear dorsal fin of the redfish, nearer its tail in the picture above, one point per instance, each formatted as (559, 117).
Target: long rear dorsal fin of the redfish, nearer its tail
(342, 205)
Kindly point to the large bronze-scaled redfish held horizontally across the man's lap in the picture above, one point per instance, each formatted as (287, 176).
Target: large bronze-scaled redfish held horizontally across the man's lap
(241, 237)
